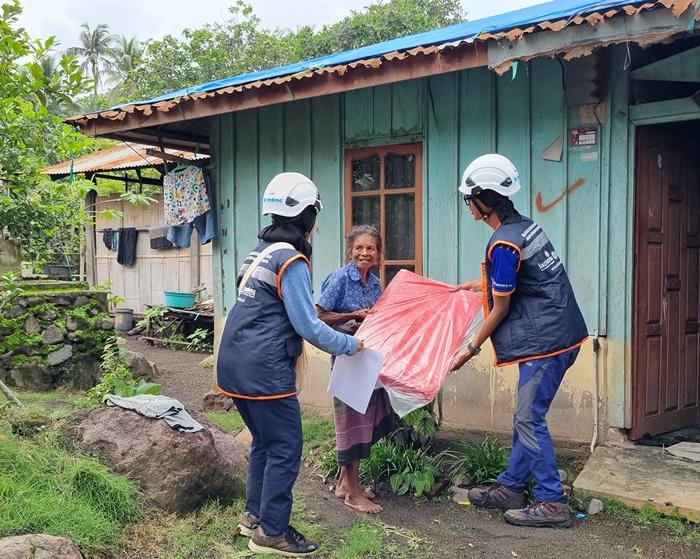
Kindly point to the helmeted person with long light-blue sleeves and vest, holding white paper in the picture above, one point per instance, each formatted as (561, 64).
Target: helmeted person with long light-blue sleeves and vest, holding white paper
(260, 345)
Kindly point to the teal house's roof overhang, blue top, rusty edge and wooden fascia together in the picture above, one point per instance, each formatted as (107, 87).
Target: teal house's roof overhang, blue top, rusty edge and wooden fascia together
(169, 120)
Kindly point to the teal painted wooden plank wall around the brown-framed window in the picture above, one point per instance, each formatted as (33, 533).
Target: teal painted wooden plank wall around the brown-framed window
(458, 116)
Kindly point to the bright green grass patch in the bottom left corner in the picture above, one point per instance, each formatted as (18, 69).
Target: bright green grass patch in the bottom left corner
(44, 489)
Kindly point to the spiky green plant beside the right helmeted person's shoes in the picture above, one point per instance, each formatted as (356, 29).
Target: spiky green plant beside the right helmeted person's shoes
(478, 462)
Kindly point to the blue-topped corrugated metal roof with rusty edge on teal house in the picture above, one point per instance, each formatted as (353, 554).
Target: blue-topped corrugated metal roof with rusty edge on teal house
(553, 16)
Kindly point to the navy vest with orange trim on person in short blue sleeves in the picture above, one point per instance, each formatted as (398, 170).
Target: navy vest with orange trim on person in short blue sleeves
(544, 318)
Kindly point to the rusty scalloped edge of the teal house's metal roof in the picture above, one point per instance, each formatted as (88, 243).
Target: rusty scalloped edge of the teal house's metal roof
(674, 8)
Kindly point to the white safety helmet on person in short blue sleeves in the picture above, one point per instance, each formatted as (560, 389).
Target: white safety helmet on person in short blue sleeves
(490, 172)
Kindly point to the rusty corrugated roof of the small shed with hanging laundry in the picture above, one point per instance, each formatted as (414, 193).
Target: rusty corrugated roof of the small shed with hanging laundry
(122, 157)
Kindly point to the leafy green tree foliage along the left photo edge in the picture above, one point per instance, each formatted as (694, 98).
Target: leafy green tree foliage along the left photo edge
(33, 211)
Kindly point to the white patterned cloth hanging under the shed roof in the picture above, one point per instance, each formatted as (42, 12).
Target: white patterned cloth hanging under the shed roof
(185, 196)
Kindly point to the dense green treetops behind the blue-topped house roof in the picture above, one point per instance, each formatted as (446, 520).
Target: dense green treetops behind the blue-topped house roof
(240, 45)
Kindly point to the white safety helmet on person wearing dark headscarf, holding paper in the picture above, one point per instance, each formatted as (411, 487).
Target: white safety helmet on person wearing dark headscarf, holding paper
(288, 194)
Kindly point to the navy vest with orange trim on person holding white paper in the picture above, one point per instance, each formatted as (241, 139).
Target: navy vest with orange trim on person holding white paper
(259, 346)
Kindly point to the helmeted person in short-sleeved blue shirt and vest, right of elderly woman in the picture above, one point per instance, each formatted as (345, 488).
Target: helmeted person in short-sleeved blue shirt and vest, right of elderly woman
(533, 320)
